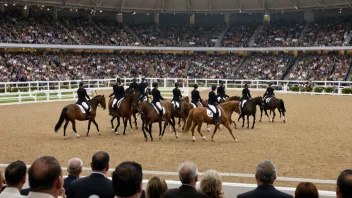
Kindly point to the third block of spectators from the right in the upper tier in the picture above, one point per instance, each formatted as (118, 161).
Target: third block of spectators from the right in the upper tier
(238, 35)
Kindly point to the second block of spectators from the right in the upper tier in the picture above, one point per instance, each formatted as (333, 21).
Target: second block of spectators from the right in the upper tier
(282, 33)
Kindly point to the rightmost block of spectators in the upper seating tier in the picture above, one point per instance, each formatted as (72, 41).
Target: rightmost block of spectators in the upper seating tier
(330, 31)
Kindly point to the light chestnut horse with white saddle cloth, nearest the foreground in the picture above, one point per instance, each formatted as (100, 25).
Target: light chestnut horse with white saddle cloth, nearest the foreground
(199, 115)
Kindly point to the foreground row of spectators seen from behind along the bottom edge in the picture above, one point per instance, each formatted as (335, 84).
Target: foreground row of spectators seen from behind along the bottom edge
(45, 178)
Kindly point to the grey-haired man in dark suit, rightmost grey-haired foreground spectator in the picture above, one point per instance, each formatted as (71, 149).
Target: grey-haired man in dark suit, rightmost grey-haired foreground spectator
(265, 176)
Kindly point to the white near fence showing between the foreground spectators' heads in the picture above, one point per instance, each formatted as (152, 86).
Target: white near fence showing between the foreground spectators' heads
(231, 189)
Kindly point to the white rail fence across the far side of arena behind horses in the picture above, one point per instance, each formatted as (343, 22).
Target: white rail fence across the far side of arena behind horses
(51, 91)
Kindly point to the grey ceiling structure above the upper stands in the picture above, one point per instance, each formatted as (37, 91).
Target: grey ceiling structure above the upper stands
(192, 6)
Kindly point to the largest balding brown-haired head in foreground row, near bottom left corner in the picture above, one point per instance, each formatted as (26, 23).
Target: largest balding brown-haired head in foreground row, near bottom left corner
(44, 173)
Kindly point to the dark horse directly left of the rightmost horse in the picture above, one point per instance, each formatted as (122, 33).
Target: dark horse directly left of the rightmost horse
(250, 109)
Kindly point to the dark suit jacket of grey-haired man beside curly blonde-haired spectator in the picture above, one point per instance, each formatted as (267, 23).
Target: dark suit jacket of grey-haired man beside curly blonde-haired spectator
(184, 192)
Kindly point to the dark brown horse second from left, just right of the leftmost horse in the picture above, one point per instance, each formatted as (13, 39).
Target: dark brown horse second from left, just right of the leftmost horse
(124, 111)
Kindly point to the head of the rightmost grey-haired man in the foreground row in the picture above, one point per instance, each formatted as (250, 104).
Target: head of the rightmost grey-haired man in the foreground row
(266, 172)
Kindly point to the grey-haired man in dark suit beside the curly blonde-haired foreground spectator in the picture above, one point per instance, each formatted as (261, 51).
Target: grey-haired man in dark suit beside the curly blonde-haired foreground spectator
(188, 174)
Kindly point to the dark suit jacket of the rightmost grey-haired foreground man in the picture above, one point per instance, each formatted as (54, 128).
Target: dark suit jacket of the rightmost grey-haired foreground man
(264, 191)
